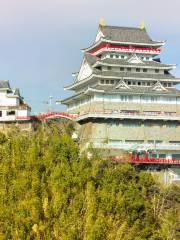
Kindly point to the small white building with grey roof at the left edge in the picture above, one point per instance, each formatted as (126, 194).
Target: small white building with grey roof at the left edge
(12, 105)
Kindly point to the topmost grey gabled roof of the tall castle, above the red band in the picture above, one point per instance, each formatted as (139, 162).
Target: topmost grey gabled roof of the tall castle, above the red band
(127, 34)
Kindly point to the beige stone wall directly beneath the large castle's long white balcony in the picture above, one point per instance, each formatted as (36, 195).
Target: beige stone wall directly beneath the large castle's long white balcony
(132, 130)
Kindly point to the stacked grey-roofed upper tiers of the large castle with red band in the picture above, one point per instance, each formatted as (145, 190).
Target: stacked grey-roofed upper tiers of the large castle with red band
(121, 55)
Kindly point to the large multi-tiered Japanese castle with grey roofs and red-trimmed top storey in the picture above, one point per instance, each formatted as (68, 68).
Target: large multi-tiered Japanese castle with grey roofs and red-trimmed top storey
(124, 97)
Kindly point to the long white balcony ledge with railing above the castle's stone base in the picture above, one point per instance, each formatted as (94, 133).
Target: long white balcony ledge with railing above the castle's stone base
(110, 114)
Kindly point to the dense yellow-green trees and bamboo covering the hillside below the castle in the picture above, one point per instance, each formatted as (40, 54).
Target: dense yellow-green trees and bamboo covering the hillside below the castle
(49, 192)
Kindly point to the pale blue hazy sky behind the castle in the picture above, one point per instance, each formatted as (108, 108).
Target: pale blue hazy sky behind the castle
(40, 40)
